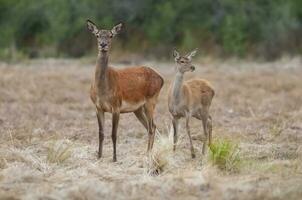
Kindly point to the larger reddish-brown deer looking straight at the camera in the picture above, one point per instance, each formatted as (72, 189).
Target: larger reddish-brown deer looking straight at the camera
(134, 89)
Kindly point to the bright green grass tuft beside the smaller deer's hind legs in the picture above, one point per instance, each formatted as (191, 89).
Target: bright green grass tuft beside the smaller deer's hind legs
(225, 155)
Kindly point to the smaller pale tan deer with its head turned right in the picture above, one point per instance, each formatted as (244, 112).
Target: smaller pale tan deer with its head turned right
(191, 98)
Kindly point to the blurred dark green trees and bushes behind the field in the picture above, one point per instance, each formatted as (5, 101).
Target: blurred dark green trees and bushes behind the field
(57, 28)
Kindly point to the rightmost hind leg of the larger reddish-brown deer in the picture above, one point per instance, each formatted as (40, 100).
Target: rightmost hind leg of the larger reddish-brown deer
(149, 109)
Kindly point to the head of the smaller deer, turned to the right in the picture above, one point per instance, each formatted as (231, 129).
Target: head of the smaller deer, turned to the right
(184, 63)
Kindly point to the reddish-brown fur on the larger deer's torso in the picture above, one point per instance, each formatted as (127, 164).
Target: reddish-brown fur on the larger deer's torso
(133, 85)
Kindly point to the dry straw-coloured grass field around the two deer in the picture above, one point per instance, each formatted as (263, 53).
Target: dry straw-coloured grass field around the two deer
(48, 135)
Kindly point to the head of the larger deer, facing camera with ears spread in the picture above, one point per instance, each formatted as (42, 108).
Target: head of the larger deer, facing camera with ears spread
(103, 36)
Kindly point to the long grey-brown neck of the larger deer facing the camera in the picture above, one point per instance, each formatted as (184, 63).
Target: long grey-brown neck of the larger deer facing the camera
(101, 77)
